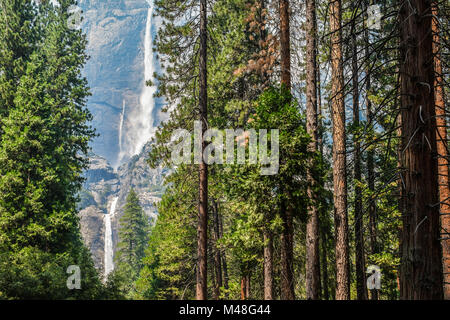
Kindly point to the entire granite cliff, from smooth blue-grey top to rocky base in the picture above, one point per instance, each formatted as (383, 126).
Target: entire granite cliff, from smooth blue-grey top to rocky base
(119, 34)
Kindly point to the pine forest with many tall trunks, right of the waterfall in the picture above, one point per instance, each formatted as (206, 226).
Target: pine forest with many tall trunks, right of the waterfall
(359, 98)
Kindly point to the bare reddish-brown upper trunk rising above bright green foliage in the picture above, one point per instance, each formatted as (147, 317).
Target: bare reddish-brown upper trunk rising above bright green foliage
(285, 44)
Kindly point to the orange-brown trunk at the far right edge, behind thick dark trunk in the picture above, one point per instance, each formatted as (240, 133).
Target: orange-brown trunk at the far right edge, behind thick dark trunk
(442, 150)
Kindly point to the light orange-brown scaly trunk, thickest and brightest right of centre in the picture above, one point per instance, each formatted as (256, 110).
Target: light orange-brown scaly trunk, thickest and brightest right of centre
(339, 156)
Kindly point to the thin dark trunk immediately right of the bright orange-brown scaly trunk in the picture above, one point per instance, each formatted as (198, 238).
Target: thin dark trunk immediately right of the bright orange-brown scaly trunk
(359, 236)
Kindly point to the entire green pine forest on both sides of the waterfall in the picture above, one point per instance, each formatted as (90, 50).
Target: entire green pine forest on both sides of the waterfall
(358, 91)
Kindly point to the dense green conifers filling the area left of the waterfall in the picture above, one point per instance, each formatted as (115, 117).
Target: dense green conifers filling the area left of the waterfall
(43, 149)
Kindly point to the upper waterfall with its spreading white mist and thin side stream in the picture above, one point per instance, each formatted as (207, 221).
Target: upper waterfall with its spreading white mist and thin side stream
(139, 121)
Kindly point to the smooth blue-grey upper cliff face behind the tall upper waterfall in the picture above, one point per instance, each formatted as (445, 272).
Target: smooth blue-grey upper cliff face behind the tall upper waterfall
(116, 32)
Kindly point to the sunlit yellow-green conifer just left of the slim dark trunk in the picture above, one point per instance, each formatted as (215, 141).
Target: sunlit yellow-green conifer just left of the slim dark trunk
(167, 272)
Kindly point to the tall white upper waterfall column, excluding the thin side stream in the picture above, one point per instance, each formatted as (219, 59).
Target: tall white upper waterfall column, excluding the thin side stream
(144, 125)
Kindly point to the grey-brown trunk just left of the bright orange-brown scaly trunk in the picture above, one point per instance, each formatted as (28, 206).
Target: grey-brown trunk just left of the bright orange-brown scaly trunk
(312, 226)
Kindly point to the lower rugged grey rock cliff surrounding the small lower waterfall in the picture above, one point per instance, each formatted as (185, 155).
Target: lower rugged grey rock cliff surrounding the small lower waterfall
(103, 184)
